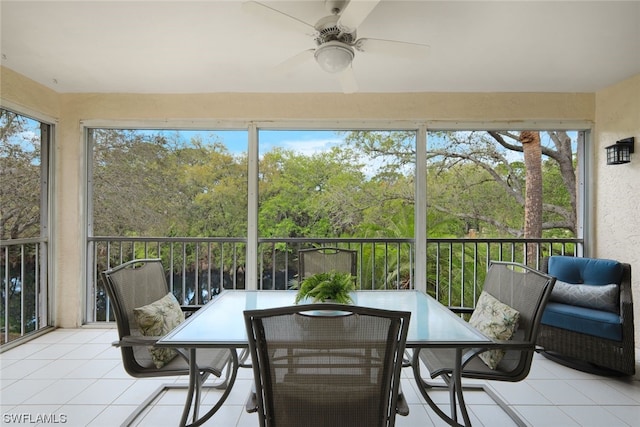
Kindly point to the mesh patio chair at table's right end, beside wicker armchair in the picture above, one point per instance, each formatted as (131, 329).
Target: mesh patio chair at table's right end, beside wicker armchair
(519, 287)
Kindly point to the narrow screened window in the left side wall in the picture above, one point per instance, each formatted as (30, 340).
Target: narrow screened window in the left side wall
(24, 147)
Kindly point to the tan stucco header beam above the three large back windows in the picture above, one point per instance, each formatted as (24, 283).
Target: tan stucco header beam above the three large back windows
(420, 106)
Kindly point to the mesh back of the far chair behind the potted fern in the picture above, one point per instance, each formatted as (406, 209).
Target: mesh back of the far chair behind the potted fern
(321, 260)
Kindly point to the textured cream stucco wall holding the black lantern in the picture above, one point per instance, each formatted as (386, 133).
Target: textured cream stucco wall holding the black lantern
(617, 193)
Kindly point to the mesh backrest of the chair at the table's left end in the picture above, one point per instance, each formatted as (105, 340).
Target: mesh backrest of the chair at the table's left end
(130, 285)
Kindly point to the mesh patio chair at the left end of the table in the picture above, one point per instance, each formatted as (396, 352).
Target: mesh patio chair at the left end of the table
(136, 284)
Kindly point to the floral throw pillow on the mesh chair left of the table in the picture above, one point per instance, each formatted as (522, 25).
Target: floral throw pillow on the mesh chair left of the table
(158, 319)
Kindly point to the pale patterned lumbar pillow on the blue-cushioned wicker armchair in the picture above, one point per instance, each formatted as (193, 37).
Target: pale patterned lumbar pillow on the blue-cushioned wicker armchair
(599, 297)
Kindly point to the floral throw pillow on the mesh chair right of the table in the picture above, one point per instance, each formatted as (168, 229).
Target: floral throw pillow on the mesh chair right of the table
(496, 320)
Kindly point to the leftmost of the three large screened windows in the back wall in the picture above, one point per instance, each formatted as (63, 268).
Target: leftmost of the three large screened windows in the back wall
(178, 195)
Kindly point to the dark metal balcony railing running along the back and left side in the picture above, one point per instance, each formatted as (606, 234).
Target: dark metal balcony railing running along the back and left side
(199, 268)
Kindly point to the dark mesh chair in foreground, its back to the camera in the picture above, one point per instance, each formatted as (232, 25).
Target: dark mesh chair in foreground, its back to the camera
(327, 364)
